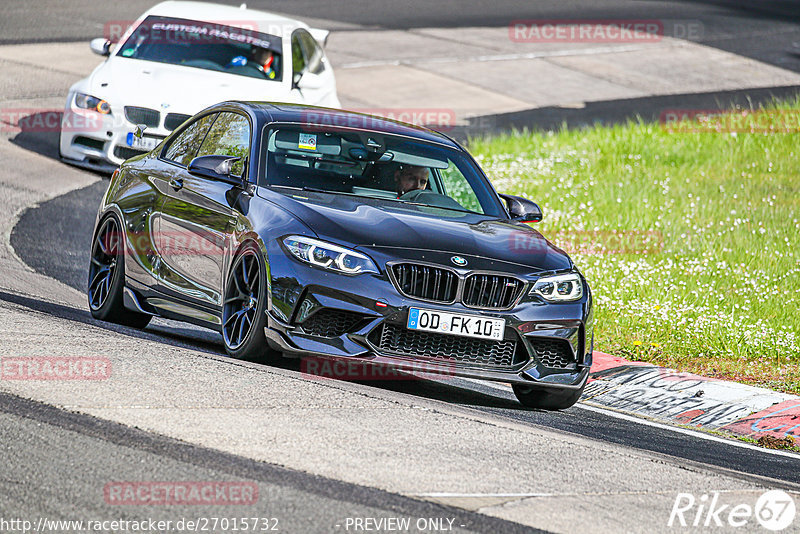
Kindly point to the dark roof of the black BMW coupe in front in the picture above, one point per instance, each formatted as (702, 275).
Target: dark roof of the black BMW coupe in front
(338, 118)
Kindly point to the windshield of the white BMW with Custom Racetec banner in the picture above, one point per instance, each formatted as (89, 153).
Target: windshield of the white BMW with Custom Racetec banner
(205, 45)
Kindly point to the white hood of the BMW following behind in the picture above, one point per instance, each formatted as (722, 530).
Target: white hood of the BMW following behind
(186, 90)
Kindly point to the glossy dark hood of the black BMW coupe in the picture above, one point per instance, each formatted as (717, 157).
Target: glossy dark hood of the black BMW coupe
(392, 226)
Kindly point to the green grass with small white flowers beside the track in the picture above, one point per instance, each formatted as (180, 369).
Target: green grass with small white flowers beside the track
(689, 240)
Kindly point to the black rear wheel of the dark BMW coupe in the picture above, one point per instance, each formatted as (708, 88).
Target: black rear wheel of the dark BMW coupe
(107, 277)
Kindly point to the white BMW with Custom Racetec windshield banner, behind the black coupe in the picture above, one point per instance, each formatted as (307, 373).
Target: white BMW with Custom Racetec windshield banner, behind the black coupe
(179, 58)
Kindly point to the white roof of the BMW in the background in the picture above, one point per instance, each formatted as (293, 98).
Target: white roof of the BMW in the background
(239, 17)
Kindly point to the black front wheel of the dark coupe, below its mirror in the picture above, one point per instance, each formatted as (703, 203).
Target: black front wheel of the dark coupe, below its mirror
(244, 305)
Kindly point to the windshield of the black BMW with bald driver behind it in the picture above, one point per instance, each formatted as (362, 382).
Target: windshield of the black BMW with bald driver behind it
(378, 166)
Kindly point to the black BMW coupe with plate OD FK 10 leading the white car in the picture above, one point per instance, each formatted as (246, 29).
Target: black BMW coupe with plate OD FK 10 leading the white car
(314, 232)
